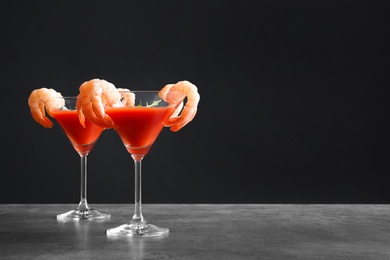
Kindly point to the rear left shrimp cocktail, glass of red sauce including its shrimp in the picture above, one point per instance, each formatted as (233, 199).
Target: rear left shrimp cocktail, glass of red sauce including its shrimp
(83, 137)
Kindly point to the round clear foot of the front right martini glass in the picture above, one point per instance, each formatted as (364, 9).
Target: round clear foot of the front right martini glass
(137, 230)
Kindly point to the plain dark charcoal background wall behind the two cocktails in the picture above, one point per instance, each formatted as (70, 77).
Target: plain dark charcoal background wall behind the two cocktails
(292, 105)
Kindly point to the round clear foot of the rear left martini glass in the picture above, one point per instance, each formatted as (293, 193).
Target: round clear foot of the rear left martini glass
(80, 215)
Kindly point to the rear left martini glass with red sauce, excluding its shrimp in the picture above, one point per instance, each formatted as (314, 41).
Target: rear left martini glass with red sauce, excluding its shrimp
(83, 140)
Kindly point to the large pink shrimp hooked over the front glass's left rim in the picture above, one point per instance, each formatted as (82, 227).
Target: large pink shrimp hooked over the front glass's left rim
(94, 95)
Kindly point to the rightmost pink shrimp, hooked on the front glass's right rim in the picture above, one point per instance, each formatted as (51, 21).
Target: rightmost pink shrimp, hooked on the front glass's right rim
(170, 94)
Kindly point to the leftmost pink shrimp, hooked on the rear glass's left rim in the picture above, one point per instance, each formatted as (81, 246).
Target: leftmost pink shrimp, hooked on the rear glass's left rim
(38, 104)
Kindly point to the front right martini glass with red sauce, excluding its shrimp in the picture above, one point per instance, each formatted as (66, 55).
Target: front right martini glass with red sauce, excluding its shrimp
(138, 127)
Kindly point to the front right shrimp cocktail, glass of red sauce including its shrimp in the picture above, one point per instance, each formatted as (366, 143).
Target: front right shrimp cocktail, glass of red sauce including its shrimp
(138, 117)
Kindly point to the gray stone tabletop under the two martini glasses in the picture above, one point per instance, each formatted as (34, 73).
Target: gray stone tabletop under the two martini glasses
(201, 231)
